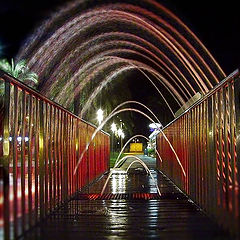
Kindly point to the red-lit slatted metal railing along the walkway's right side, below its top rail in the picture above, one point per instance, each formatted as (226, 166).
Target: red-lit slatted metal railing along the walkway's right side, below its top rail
(206, 139)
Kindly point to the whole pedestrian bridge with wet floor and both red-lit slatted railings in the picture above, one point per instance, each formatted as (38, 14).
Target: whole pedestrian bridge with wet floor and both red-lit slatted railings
(197, 174)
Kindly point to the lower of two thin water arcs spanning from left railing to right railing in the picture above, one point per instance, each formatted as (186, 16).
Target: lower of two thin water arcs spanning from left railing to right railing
(112, 115)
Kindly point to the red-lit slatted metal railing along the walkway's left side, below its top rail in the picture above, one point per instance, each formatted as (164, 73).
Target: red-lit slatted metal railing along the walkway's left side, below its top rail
(40, 143)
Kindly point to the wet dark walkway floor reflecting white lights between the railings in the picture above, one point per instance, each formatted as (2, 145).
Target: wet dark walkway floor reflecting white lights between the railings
(173, 216)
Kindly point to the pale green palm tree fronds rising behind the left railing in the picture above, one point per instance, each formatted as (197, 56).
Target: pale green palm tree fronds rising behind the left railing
(19, 71)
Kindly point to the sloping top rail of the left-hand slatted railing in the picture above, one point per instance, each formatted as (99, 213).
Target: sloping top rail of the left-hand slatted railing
(6, 77)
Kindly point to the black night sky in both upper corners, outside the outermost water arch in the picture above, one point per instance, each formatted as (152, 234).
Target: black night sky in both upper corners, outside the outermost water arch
(216, 23)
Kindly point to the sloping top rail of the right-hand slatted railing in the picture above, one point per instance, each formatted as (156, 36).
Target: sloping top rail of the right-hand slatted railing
(211, 92)
